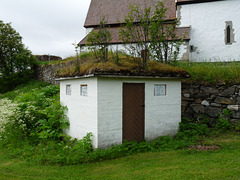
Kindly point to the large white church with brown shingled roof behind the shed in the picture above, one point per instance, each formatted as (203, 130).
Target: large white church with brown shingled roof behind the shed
(211, 27)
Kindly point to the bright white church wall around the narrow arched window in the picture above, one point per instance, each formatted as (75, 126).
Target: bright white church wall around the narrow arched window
(207, 21)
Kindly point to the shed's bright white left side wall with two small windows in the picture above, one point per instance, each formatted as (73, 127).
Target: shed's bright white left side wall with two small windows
(82, 110)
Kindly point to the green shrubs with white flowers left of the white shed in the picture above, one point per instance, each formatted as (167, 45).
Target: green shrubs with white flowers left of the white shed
(37, 117)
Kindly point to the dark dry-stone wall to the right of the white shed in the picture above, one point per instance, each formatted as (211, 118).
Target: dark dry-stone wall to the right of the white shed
(210, 101)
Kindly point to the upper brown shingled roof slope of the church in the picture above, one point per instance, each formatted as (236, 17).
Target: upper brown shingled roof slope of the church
(114, 11)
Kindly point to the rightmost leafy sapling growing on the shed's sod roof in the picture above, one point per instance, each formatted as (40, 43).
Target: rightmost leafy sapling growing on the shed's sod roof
(165, 44)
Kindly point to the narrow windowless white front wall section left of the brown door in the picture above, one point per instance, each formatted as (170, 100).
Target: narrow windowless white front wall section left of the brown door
(109, 111)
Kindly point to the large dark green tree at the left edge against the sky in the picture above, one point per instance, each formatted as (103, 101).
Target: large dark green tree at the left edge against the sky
(16, 61)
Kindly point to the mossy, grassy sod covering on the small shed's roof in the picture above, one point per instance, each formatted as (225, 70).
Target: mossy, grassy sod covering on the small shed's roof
(126, 67)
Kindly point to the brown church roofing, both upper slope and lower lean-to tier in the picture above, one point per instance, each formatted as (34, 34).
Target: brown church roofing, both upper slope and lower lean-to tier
(115, 11)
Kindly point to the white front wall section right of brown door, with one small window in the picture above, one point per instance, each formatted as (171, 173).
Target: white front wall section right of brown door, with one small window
(162, 113)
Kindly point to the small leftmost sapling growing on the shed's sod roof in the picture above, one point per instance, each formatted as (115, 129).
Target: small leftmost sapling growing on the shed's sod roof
(99, 40)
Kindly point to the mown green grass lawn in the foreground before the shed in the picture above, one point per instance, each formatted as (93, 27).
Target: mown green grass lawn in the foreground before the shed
(223, 163)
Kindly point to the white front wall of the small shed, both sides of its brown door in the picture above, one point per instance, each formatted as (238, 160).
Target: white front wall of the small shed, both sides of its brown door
(162, 113)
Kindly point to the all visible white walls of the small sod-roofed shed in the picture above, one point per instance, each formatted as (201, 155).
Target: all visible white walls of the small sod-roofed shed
(104, 104)
